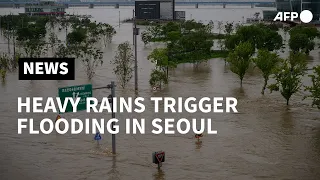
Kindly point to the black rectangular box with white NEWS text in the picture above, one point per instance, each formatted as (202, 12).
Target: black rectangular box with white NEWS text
(46, 69)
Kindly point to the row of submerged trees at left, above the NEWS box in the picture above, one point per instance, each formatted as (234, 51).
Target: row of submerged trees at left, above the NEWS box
(36, 36)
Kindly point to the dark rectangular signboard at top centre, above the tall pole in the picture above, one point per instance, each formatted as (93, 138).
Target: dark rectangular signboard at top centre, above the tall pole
(147, 9)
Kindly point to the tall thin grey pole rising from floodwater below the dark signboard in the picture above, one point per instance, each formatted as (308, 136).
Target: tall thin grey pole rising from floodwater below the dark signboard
(135, 33)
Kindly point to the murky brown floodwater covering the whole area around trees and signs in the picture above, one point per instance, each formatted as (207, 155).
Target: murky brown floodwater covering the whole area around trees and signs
(266, 140)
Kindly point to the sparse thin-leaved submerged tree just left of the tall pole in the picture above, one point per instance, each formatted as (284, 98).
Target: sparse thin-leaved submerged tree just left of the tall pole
(123, 62)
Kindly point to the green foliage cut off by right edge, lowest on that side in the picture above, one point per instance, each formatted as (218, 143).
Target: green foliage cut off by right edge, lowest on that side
(315, 88)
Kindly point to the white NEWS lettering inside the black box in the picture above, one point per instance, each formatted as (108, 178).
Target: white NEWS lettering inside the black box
(45, 68)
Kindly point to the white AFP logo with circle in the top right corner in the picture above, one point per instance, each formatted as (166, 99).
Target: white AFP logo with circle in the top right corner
(306, 16)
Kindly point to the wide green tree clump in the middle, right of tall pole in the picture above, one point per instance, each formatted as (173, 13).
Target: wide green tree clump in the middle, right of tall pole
(186, 42)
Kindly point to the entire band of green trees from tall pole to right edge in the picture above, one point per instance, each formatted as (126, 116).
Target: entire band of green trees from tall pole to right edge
(258, 44)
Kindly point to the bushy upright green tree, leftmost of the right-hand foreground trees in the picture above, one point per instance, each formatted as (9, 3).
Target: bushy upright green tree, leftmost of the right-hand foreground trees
(239, 59)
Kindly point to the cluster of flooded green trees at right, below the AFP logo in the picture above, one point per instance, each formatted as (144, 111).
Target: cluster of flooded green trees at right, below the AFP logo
(265, 43)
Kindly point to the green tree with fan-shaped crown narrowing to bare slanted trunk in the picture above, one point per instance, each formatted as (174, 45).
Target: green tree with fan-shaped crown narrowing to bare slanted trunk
(266, 62)
